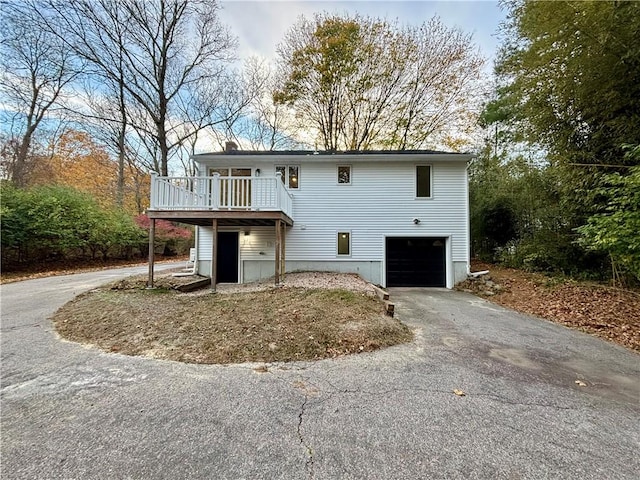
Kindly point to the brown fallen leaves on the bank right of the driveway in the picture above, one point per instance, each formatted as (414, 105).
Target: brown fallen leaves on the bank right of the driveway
(607, 312)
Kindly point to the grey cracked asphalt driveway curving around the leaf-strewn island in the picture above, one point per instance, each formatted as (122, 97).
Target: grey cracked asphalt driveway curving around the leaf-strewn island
(69, 411)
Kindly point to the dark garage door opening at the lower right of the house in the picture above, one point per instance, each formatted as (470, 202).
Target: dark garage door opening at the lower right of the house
(415, 262)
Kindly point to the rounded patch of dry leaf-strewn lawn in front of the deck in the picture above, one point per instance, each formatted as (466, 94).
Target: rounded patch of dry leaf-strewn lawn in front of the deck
(273, 325)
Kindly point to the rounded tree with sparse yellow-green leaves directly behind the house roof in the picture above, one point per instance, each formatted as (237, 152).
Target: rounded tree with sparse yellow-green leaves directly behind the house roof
(364, 83)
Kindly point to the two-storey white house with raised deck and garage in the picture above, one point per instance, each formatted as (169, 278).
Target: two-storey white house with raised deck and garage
(397, 218)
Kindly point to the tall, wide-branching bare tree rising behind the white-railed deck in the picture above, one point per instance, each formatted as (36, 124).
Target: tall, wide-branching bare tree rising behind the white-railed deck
(155, 55)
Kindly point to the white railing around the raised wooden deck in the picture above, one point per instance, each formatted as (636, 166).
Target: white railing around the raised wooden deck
(220, 193)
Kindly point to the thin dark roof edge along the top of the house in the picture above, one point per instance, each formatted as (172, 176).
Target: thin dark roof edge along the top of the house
(311, 155)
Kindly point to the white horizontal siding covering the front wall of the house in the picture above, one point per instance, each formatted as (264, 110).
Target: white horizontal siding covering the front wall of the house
(379, 202)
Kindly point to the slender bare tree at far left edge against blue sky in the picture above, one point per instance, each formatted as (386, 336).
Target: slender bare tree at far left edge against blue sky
(35, 69)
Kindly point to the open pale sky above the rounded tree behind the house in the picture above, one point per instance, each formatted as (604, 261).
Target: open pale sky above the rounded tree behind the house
(260, 25)
